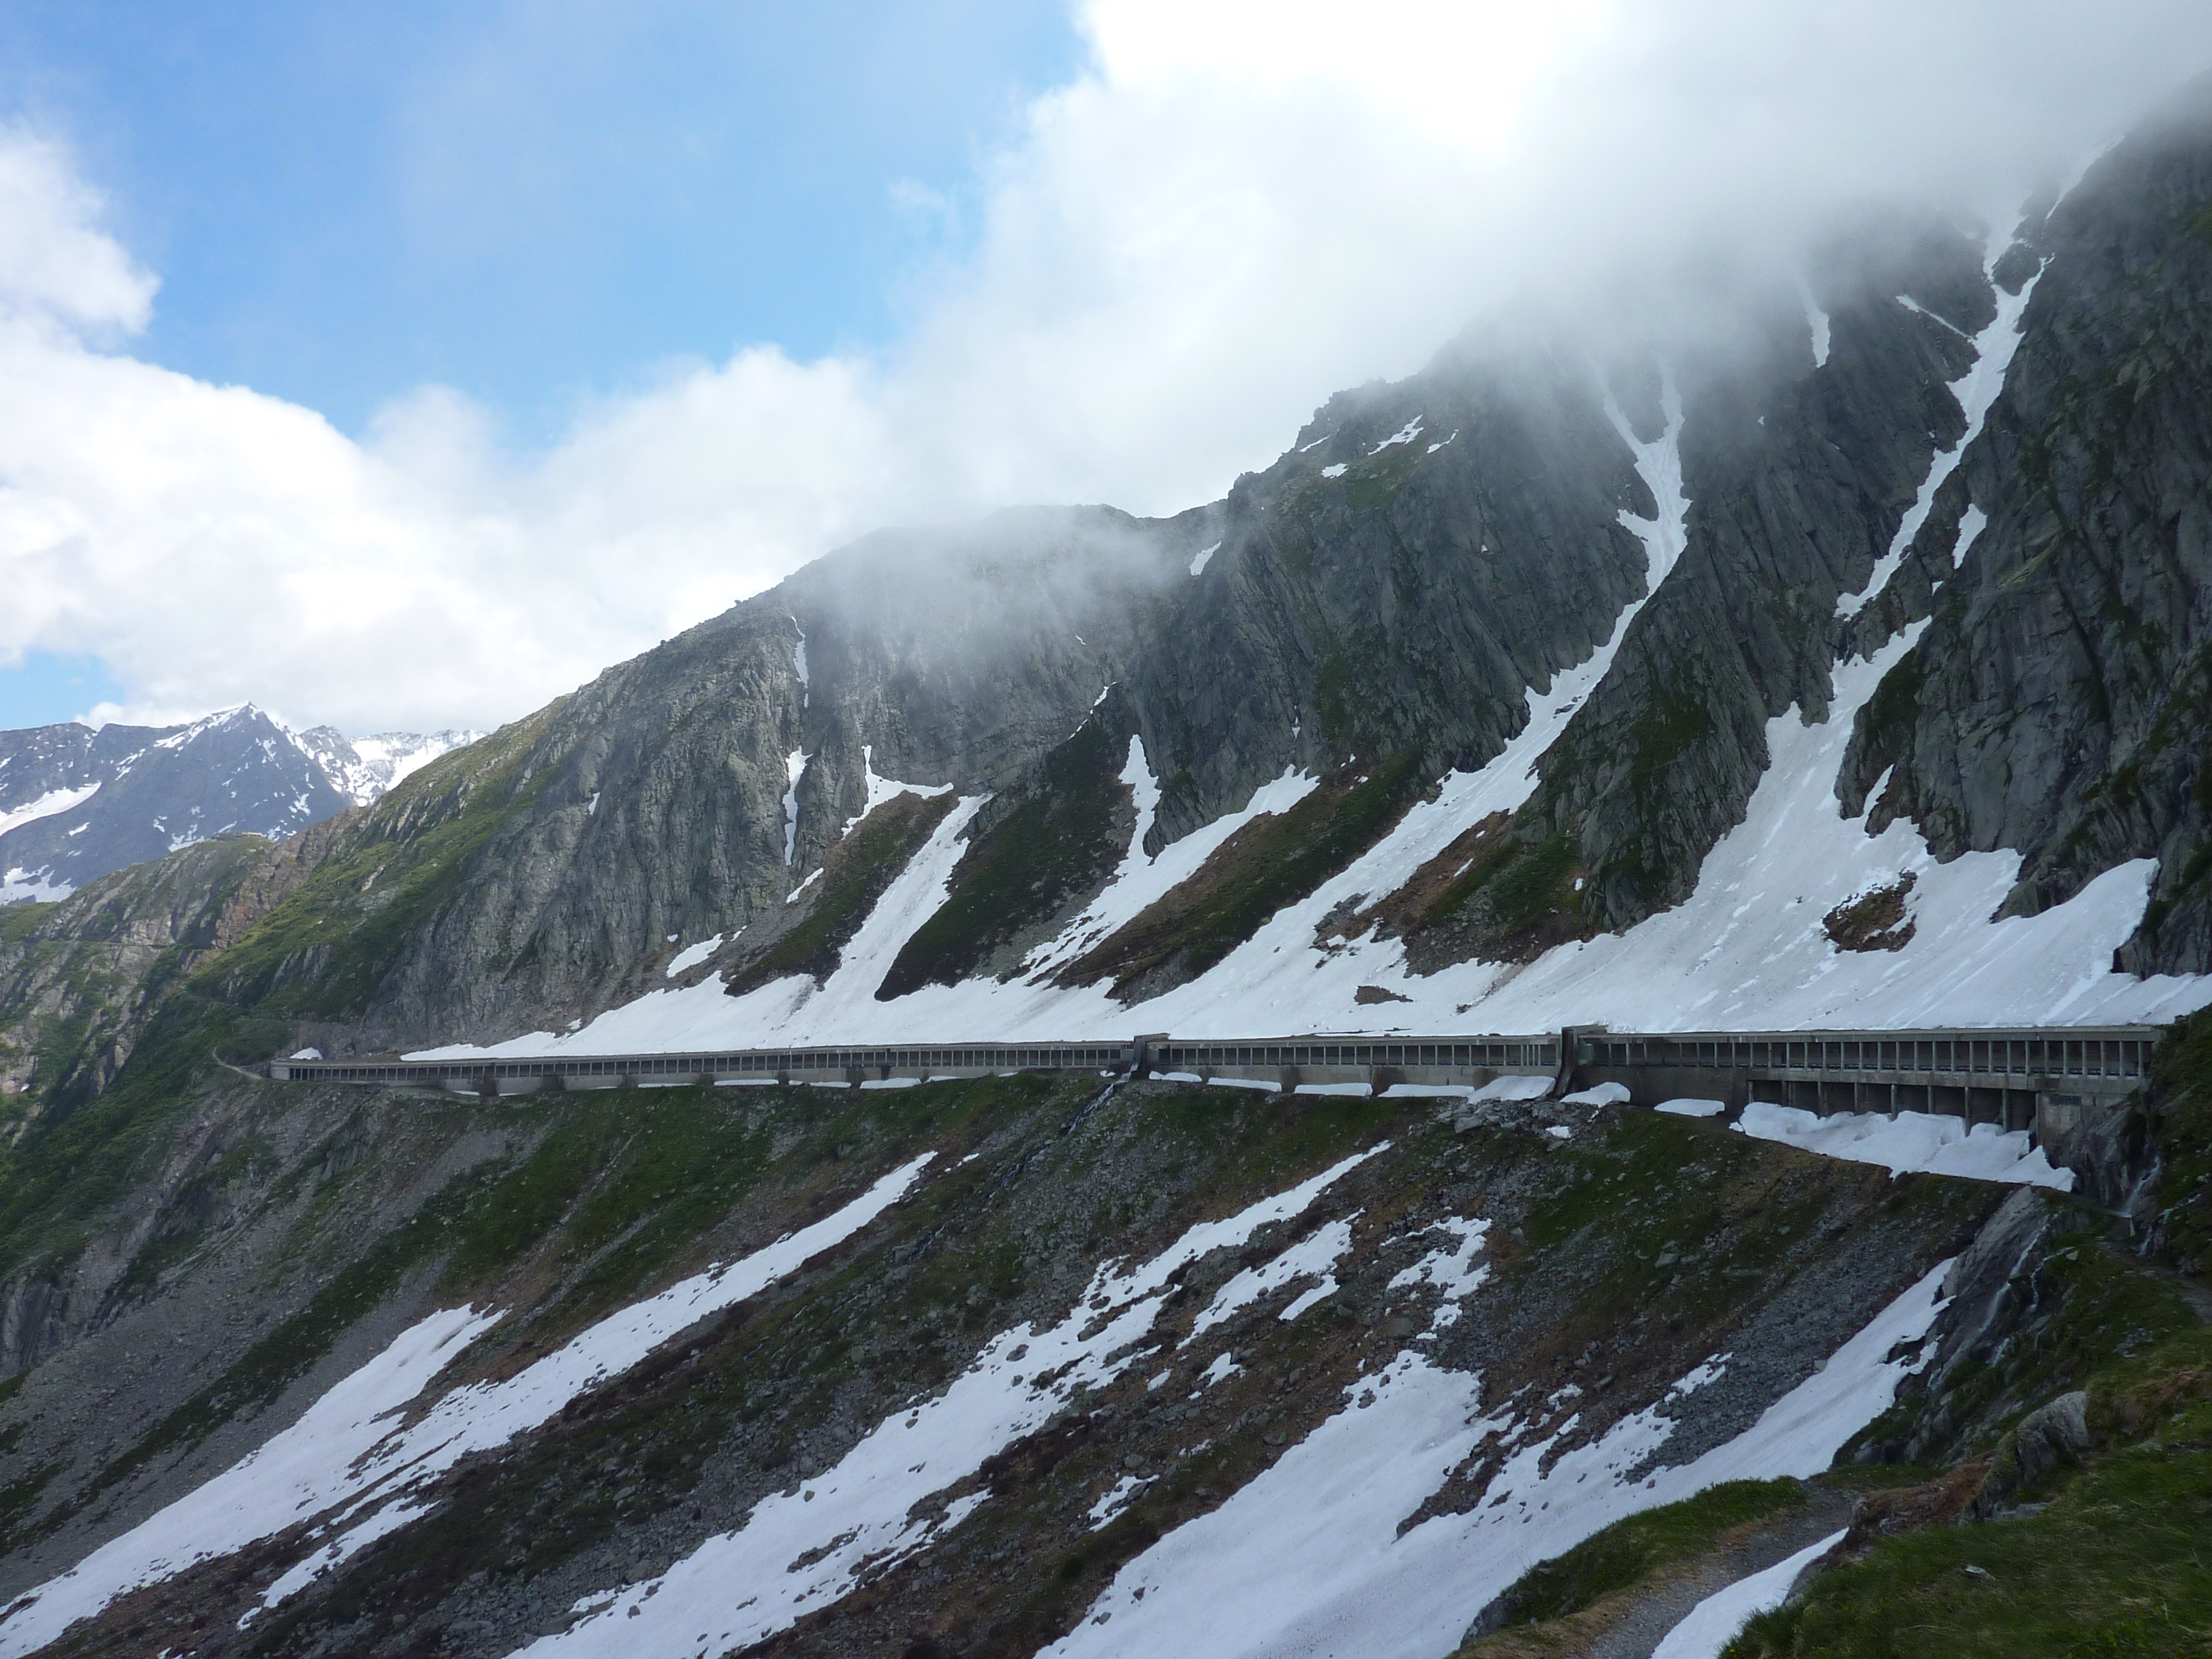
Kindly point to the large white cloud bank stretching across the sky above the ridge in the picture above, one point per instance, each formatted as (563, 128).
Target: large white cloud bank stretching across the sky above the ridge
(1233, 211)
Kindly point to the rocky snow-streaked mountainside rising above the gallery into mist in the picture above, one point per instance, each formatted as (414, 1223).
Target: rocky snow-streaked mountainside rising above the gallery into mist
(1550, 685)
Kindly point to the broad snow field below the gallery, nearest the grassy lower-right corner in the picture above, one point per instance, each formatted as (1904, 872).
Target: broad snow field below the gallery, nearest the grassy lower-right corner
(1306, 1561)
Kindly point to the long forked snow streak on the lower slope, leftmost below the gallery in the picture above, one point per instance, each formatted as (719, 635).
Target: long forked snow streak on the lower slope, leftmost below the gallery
(351, 1452)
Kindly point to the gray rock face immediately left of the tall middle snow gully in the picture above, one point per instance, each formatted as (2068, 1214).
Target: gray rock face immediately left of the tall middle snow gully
(1379, 596)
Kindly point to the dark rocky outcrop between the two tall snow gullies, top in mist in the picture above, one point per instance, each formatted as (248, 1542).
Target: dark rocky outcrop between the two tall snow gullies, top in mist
(1797, 479)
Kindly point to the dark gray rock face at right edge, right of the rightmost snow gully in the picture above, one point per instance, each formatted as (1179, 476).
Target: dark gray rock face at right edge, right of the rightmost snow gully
(2060, 693)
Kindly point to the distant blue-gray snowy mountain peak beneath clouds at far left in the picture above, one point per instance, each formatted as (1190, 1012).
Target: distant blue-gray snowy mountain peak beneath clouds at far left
(81, 802)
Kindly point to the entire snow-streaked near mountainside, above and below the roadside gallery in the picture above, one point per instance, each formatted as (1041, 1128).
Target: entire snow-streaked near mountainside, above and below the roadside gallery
(1786, 649)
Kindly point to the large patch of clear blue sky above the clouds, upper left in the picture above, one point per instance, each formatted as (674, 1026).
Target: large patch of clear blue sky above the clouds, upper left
(528, 202)
